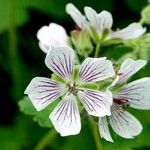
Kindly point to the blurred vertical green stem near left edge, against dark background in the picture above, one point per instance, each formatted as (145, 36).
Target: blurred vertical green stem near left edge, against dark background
(13, 53)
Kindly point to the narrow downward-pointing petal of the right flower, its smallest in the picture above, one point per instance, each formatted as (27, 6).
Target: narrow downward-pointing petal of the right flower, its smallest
(104, 129)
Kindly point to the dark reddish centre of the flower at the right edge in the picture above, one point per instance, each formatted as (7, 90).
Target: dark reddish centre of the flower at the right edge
(122, 103)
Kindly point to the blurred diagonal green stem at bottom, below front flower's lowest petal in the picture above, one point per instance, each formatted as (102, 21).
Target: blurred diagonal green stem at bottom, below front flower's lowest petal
(46, 140)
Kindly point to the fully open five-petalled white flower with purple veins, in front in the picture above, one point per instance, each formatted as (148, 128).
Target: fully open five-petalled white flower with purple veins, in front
(43, 91)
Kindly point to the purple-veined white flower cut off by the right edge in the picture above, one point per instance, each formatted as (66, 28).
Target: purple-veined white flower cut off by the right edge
(135, 94)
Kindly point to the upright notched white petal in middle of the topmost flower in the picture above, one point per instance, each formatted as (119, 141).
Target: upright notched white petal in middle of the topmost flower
(100, 21)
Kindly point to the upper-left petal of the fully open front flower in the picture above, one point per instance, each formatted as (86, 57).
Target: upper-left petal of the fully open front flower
(61, 60)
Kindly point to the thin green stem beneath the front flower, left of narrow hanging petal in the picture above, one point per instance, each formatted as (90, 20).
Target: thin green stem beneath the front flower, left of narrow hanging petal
(96, 136)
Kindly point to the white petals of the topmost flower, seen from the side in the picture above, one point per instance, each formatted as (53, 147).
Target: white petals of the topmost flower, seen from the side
(101, 21)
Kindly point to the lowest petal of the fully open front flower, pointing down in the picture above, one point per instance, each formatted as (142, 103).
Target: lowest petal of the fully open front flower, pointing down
(66, 117)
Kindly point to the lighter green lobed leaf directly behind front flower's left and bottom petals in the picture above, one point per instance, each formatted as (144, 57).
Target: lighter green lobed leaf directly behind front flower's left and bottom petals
(42, 117)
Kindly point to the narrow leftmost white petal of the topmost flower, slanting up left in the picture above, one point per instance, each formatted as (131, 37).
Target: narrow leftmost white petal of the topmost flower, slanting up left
(76, 15)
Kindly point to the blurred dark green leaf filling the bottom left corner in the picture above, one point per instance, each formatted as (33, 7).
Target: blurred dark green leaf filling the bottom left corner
(20, 135)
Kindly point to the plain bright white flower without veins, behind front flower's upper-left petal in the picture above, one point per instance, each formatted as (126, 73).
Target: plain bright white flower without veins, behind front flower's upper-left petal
(52, 35)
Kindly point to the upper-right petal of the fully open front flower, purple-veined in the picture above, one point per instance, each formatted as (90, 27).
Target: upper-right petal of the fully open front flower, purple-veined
(95, 69)
